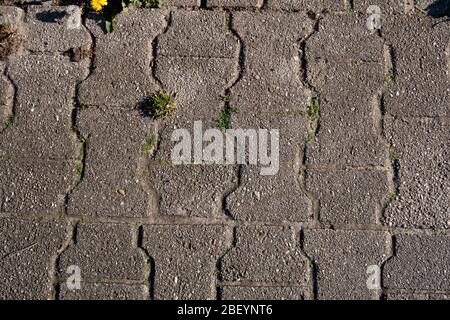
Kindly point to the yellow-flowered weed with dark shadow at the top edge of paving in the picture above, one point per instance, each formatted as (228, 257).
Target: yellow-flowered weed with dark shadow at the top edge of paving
(111, 8)
